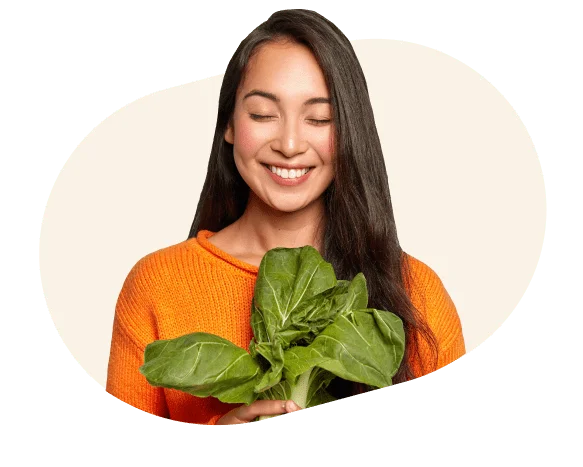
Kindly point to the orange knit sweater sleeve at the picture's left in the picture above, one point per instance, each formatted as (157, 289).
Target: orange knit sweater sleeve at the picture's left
(134, 327)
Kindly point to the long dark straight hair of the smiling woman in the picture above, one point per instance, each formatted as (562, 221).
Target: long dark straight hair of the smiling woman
(360, 233)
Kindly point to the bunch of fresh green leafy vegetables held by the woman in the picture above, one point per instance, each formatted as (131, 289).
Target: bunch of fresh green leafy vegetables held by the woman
(308, 328)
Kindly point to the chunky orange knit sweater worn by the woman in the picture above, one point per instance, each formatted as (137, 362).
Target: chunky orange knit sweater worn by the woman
(196, 287)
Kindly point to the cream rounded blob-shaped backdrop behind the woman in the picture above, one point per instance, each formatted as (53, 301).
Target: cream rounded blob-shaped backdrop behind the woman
(467, 185)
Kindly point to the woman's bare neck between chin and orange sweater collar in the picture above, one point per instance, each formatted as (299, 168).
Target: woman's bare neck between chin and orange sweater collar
(262, 228)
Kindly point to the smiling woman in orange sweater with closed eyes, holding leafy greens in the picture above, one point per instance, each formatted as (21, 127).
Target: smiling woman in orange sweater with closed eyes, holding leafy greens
(296, 160)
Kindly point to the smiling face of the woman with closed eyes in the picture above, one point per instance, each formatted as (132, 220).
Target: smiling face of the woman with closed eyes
(283, 121)
